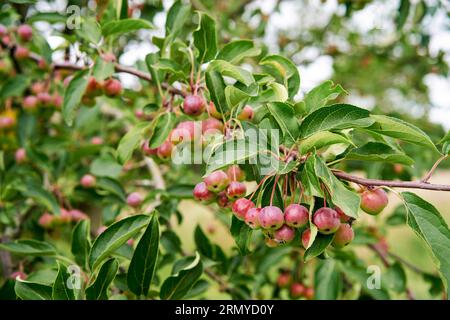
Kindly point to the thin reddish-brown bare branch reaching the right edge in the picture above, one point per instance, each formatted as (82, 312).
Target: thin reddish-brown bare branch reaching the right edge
(390, 183)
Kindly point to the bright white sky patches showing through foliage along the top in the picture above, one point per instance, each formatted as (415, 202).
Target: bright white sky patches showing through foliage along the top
(377, 14)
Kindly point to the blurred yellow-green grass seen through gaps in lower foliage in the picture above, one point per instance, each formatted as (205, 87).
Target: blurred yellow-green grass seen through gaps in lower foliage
(401, 239)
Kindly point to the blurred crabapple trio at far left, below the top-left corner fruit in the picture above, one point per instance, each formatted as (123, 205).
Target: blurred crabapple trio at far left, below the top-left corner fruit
(41, 97)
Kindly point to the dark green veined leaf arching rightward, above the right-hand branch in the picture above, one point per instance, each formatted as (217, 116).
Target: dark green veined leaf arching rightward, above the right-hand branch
(335, 117)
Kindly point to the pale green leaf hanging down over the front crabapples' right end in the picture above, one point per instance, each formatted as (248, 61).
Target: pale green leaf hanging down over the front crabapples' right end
(345, 199)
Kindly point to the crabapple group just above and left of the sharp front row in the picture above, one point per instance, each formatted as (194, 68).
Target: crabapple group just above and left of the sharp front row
(222, 187)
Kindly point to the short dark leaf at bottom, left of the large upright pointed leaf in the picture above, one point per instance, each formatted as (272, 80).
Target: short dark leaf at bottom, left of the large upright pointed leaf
(99, 289)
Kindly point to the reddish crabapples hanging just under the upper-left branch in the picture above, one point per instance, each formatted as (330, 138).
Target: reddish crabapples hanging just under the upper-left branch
(110, 87)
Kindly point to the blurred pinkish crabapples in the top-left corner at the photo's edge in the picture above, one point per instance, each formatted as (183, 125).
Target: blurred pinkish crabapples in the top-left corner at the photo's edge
(21, 35)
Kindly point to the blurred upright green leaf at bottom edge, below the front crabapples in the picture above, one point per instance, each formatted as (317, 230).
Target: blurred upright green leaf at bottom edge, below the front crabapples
(327, 281)
